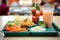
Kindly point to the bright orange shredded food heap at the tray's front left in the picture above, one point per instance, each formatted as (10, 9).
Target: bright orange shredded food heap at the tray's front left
(15, 28)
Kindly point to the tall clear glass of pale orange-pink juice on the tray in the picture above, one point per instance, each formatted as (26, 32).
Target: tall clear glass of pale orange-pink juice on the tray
(48, 16)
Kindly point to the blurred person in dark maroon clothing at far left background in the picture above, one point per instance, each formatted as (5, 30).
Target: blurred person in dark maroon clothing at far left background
(4, 9)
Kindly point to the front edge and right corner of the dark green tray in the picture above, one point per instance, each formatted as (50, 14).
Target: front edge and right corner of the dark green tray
(53, 31)
